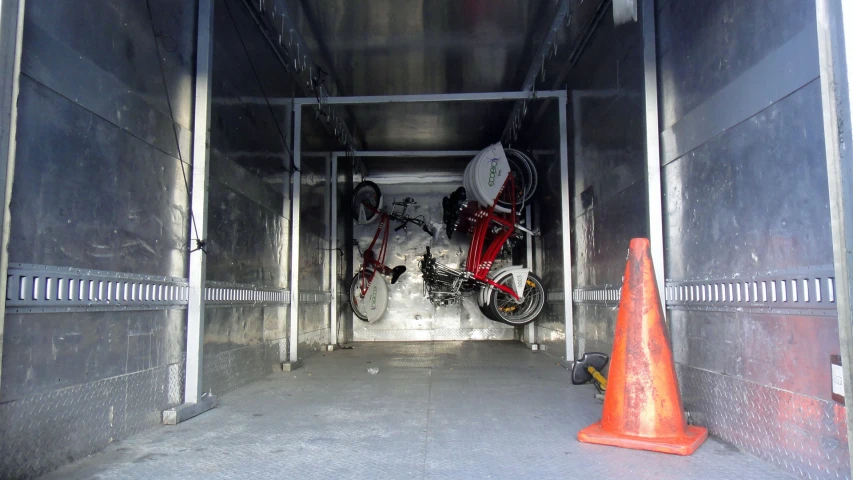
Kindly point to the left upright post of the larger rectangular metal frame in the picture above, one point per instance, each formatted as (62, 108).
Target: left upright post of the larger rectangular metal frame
(296, 180)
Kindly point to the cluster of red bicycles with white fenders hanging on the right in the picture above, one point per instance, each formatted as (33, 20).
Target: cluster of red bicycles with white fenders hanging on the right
(512, 294)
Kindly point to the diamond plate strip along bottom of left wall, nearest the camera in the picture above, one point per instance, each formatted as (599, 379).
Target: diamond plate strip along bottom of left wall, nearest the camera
(43, 432)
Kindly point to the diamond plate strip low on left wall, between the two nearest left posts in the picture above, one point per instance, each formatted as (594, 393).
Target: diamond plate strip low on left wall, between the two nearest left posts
(227, 371)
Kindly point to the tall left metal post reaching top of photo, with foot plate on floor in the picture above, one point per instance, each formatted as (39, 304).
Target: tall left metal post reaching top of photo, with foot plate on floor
(193, 403)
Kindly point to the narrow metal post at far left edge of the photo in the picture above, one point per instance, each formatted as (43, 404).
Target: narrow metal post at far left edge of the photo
(11, 35)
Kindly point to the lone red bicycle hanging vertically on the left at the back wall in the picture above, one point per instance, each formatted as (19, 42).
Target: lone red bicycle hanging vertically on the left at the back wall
(369, 291)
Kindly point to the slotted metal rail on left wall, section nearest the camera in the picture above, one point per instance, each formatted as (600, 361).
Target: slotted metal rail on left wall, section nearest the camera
(44, 288)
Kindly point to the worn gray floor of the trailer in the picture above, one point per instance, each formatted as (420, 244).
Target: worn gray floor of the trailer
(434, 410)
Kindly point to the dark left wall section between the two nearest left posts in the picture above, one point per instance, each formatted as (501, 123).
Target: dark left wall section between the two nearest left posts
(248, 202)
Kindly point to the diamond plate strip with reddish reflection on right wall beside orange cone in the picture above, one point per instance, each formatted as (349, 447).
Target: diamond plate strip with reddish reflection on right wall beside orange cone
(802, 435)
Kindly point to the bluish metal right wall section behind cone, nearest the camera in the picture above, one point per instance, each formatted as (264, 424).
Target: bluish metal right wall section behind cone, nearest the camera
(745, 200)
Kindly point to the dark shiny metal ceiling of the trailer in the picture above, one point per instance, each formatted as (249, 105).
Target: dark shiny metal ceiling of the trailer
(391, 47)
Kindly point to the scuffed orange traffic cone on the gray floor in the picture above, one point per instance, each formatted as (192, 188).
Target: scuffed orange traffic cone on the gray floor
(642, 407)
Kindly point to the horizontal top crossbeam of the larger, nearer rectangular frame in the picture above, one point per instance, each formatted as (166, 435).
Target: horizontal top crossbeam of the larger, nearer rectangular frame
(440, 97)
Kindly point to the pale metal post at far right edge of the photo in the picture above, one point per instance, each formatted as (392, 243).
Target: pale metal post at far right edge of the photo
(835, 48)
